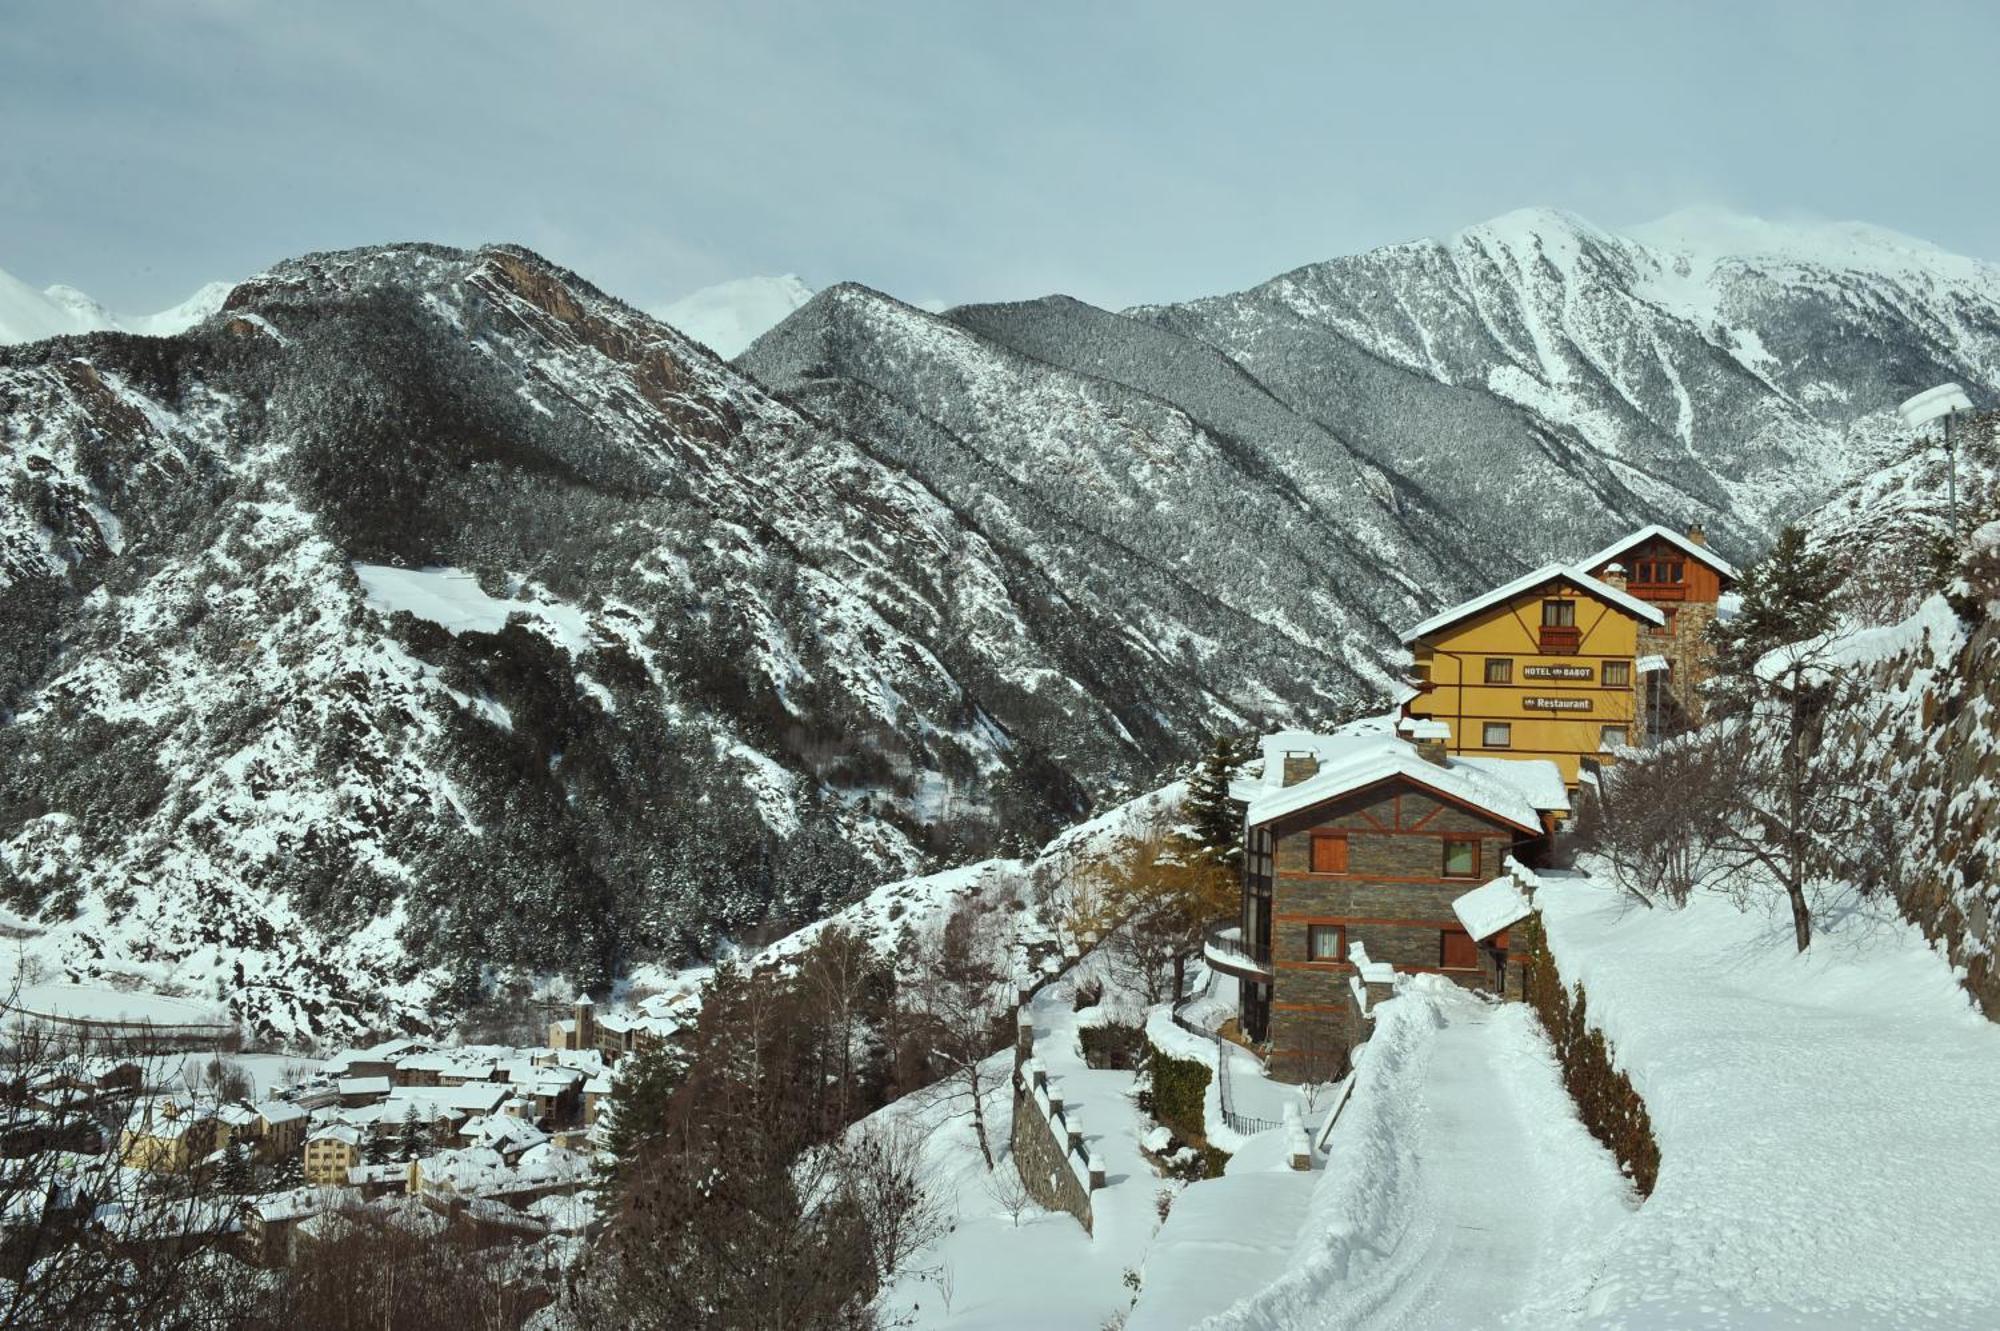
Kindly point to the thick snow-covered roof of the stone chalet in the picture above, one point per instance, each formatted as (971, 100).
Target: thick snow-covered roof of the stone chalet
(1363, 758)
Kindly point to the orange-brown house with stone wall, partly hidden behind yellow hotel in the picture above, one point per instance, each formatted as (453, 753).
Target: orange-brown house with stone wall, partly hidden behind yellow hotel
(1685, 581)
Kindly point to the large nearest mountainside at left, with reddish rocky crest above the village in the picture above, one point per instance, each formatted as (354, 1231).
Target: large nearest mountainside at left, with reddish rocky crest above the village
(707, 663)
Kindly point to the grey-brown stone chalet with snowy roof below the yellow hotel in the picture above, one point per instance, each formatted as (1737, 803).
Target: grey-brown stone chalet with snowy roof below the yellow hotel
(1357, 846)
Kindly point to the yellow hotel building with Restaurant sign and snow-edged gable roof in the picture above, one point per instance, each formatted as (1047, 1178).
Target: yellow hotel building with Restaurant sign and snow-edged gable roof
(1545, 666)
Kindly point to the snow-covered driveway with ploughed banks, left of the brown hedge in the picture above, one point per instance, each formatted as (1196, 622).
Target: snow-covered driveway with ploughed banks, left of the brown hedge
(1459, 1190)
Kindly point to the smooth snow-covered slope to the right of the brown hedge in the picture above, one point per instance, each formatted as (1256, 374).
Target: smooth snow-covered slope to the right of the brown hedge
(1829, 1124)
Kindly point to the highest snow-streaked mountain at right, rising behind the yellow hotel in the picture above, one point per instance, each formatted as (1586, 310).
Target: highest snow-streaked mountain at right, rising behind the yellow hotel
(1705, 369)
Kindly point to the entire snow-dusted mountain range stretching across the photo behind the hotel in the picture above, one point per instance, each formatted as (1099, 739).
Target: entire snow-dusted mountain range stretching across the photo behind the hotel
(429, 611)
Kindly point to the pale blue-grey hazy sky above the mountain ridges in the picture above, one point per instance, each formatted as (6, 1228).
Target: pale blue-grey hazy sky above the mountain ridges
(947, 151)
